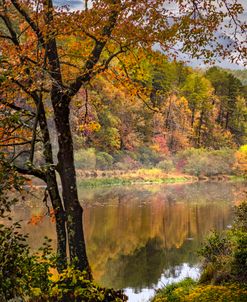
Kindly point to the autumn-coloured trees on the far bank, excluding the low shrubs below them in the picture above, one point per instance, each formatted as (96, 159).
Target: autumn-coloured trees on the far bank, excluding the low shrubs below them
(184, 107)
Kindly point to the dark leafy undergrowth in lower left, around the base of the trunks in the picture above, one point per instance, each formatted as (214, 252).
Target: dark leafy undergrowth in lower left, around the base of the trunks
(30, 277)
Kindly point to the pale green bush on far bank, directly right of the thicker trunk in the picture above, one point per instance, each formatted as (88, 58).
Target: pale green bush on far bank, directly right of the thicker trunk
(85, 159)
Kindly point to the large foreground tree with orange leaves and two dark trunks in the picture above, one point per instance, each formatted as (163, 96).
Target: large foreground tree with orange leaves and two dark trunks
(49, 54)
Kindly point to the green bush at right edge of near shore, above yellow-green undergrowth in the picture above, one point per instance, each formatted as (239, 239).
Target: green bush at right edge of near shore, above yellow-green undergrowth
(225, 255)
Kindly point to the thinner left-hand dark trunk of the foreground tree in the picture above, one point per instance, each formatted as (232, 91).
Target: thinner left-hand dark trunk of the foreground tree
(54, 193)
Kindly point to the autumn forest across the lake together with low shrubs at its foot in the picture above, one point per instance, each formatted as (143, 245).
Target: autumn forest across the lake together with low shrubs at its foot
(192, 115)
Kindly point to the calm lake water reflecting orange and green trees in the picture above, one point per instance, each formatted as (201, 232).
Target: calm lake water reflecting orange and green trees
(142, 237)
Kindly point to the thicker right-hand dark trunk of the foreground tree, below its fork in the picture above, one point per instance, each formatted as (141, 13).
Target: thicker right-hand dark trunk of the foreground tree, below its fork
(66, 169)
